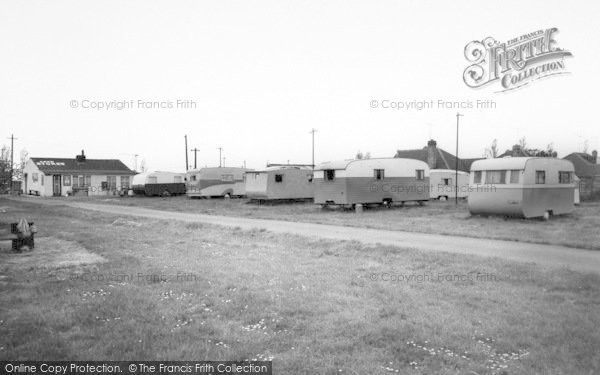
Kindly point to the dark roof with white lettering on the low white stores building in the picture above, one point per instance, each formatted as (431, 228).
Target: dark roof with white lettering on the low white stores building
(89, 166)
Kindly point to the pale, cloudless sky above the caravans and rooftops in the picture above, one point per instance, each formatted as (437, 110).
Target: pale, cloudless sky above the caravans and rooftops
(258, 76)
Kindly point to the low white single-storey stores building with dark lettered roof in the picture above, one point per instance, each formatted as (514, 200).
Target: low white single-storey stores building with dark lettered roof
(78, 176)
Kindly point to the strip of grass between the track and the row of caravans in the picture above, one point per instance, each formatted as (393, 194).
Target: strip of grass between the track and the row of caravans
(579, 229)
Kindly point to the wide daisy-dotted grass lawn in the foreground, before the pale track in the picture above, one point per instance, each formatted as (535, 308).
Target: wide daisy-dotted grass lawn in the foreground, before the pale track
(105, 287)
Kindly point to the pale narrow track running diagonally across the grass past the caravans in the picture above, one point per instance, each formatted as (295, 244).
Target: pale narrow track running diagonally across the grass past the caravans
(544, 255)
